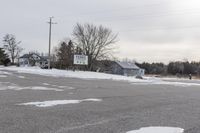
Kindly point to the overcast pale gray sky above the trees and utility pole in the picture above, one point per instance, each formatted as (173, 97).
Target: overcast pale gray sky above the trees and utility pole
(149, 30)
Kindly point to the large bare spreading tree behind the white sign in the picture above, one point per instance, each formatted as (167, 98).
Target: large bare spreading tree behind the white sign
(95, 41)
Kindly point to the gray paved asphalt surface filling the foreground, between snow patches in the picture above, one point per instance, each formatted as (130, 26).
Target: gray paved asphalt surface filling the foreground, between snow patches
(124, 106)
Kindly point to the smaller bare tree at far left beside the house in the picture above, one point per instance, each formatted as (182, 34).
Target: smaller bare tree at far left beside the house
(12, 46)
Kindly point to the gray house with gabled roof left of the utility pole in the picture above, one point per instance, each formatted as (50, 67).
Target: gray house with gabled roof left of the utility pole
(33, 59)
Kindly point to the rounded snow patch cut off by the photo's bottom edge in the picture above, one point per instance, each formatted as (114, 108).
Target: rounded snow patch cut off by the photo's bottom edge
(158, 130)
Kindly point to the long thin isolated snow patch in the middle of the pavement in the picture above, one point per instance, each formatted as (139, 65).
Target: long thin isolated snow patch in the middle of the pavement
(59, 102)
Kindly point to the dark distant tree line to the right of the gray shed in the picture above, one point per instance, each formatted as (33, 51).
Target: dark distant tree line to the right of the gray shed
(173, 68)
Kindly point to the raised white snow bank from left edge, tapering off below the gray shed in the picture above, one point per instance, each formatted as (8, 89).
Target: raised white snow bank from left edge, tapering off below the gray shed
(72, 74)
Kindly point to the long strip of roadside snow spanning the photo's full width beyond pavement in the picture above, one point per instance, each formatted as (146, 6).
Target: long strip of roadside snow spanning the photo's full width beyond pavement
(95, 75)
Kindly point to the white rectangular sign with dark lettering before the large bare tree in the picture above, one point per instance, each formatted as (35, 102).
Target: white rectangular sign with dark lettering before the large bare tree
(80, 60)
